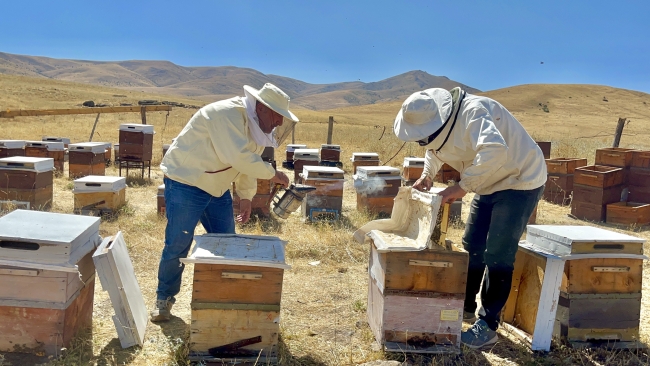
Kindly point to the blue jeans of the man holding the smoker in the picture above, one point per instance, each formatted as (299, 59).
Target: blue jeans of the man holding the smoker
(186, 206)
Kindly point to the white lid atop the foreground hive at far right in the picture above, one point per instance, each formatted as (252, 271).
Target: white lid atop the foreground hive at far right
(561, 240)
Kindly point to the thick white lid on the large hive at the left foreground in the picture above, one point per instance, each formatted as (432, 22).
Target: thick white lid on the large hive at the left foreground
(48, 238)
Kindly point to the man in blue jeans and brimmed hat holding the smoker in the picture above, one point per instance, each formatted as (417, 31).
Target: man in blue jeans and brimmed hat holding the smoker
(221, 144)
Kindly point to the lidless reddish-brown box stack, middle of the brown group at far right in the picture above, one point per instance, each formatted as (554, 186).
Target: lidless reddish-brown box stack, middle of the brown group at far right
(594, 187)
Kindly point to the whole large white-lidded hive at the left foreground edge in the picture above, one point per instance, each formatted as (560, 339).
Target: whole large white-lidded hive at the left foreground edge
(47, 282)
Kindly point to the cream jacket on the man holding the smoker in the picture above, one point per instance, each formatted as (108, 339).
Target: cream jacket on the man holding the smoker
(215, 149)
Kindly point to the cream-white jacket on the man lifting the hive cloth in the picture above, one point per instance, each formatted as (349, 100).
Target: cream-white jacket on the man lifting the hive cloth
(489, 147)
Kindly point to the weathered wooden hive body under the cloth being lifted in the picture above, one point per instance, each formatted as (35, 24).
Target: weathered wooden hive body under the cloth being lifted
(415, 299)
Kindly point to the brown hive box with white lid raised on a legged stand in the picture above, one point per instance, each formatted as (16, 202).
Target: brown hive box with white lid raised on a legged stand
(136, 142)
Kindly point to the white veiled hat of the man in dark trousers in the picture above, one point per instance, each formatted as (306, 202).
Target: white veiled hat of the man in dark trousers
(422, 114)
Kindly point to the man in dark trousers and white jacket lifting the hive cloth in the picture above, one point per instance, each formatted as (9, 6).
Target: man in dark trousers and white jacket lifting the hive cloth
(502, 165)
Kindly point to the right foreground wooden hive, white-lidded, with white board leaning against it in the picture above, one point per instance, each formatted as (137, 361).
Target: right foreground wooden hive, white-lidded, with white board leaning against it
(593, 275)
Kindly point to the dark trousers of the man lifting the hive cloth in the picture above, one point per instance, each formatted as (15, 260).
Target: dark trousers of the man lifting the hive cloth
(494, 227)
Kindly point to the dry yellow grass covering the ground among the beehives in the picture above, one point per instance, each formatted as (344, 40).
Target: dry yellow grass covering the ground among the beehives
(323, 306)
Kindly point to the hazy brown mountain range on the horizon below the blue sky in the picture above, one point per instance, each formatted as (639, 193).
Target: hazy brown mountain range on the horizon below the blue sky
(211, 83)
